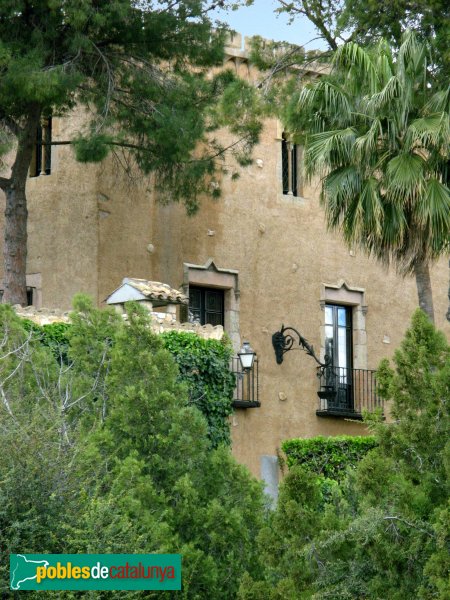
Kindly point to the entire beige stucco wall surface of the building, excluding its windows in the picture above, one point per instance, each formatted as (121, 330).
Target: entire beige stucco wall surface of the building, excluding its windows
(90, 226)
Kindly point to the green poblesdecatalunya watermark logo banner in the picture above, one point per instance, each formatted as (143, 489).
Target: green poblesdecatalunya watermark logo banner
(95, 571)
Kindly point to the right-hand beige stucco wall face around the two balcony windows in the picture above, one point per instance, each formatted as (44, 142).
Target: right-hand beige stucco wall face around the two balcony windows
(280, 247)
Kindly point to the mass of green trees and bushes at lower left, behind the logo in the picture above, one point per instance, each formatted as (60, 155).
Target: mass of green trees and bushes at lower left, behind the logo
(106, 454)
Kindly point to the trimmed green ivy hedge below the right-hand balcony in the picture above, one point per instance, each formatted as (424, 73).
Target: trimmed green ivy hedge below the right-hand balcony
(328, 456)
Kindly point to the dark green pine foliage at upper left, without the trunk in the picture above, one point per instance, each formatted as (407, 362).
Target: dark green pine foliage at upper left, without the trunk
(138, 67)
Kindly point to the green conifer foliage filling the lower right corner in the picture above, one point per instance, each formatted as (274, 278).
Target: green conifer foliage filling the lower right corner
(383, 531)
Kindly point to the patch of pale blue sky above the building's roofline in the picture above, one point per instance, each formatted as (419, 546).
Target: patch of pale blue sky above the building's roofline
(260, 19)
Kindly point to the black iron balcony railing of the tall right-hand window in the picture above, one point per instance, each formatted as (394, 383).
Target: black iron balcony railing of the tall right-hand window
(347, 392)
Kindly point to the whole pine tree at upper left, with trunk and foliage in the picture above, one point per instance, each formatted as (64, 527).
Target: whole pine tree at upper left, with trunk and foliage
(143, 72)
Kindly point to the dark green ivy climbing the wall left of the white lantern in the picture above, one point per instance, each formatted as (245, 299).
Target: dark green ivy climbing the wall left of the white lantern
(205, 367)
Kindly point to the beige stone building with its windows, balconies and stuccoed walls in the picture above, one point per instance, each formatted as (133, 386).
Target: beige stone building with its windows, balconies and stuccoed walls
(257, 258)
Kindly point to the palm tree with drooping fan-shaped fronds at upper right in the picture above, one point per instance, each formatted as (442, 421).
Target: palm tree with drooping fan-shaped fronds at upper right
(376, 130)
